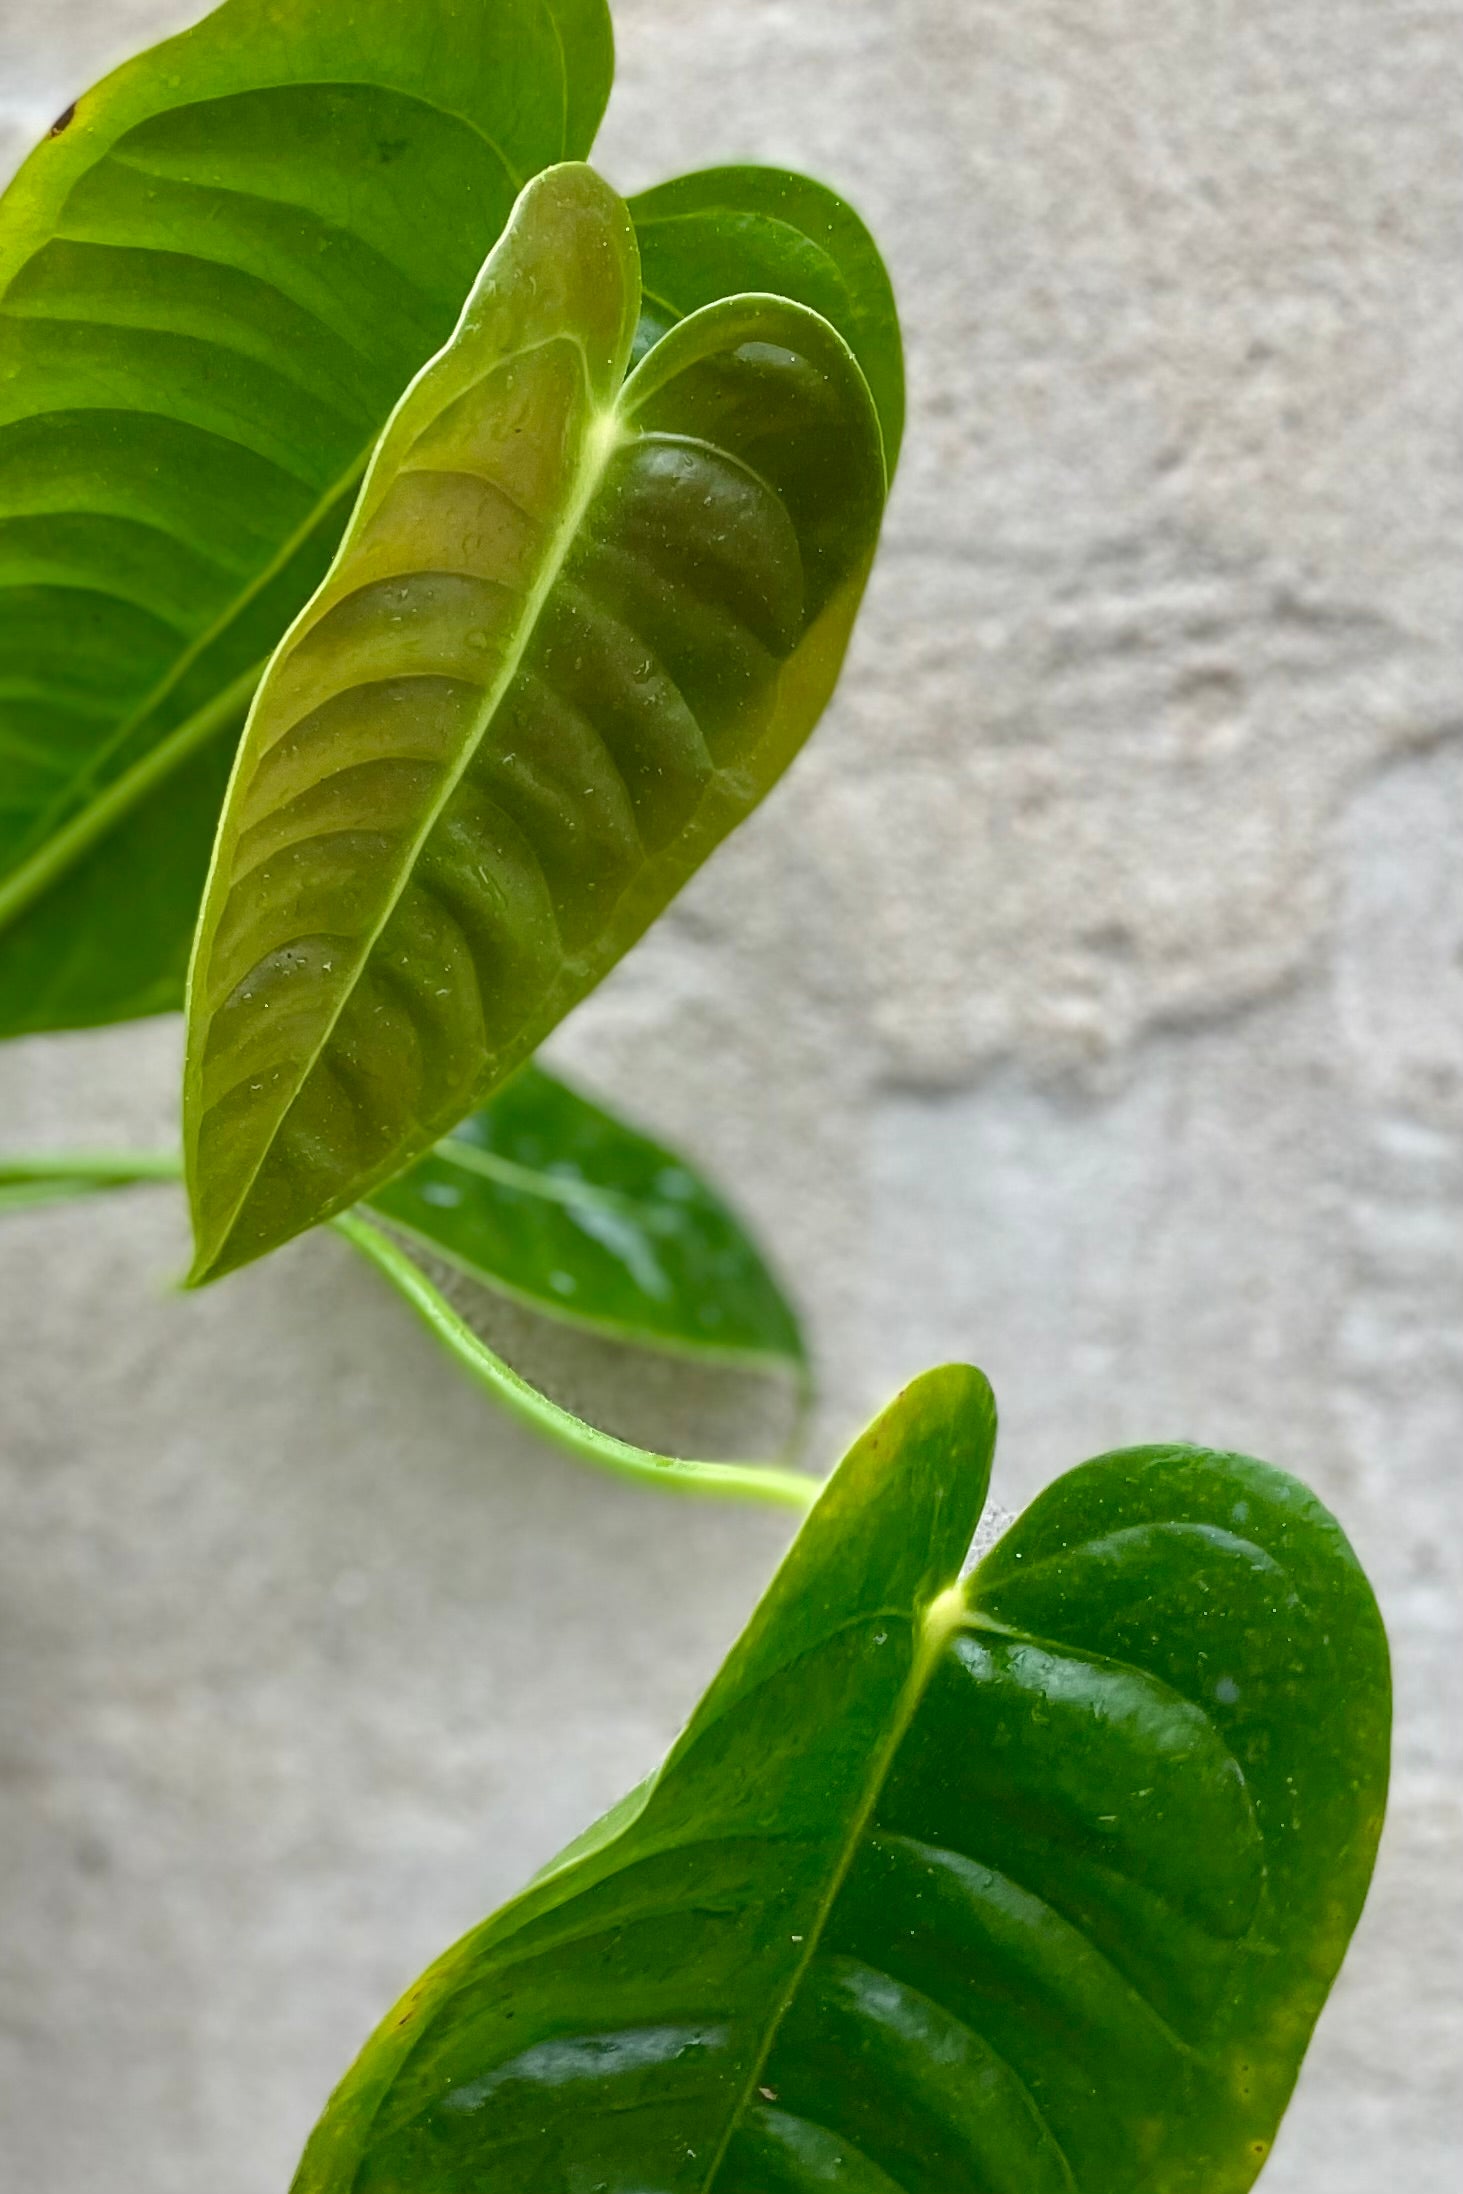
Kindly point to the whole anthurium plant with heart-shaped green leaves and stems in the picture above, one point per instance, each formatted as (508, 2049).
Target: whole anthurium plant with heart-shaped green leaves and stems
(413, 563)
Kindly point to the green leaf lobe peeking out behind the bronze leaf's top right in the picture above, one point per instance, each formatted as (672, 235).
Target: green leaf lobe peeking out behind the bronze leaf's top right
(734, 229)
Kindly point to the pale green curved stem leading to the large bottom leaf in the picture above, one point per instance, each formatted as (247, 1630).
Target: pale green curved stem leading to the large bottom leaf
(729, 1482)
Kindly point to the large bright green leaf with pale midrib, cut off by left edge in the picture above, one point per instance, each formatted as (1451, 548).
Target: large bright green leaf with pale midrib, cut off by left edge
(216, 278)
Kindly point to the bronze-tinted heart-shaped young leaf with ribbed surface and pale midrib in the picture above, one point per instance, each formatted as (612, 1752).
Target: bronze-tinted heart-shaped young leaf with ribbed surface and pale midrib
(576, 631)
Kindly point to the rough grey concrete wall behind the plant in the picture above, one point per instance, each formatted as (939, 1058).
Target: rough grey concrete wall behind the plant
(1089, 1004)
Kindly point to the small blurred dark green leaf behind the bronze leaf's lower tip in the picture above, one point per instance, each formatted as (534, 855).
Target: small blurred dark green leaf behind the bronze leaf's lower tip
(554, 1201)
